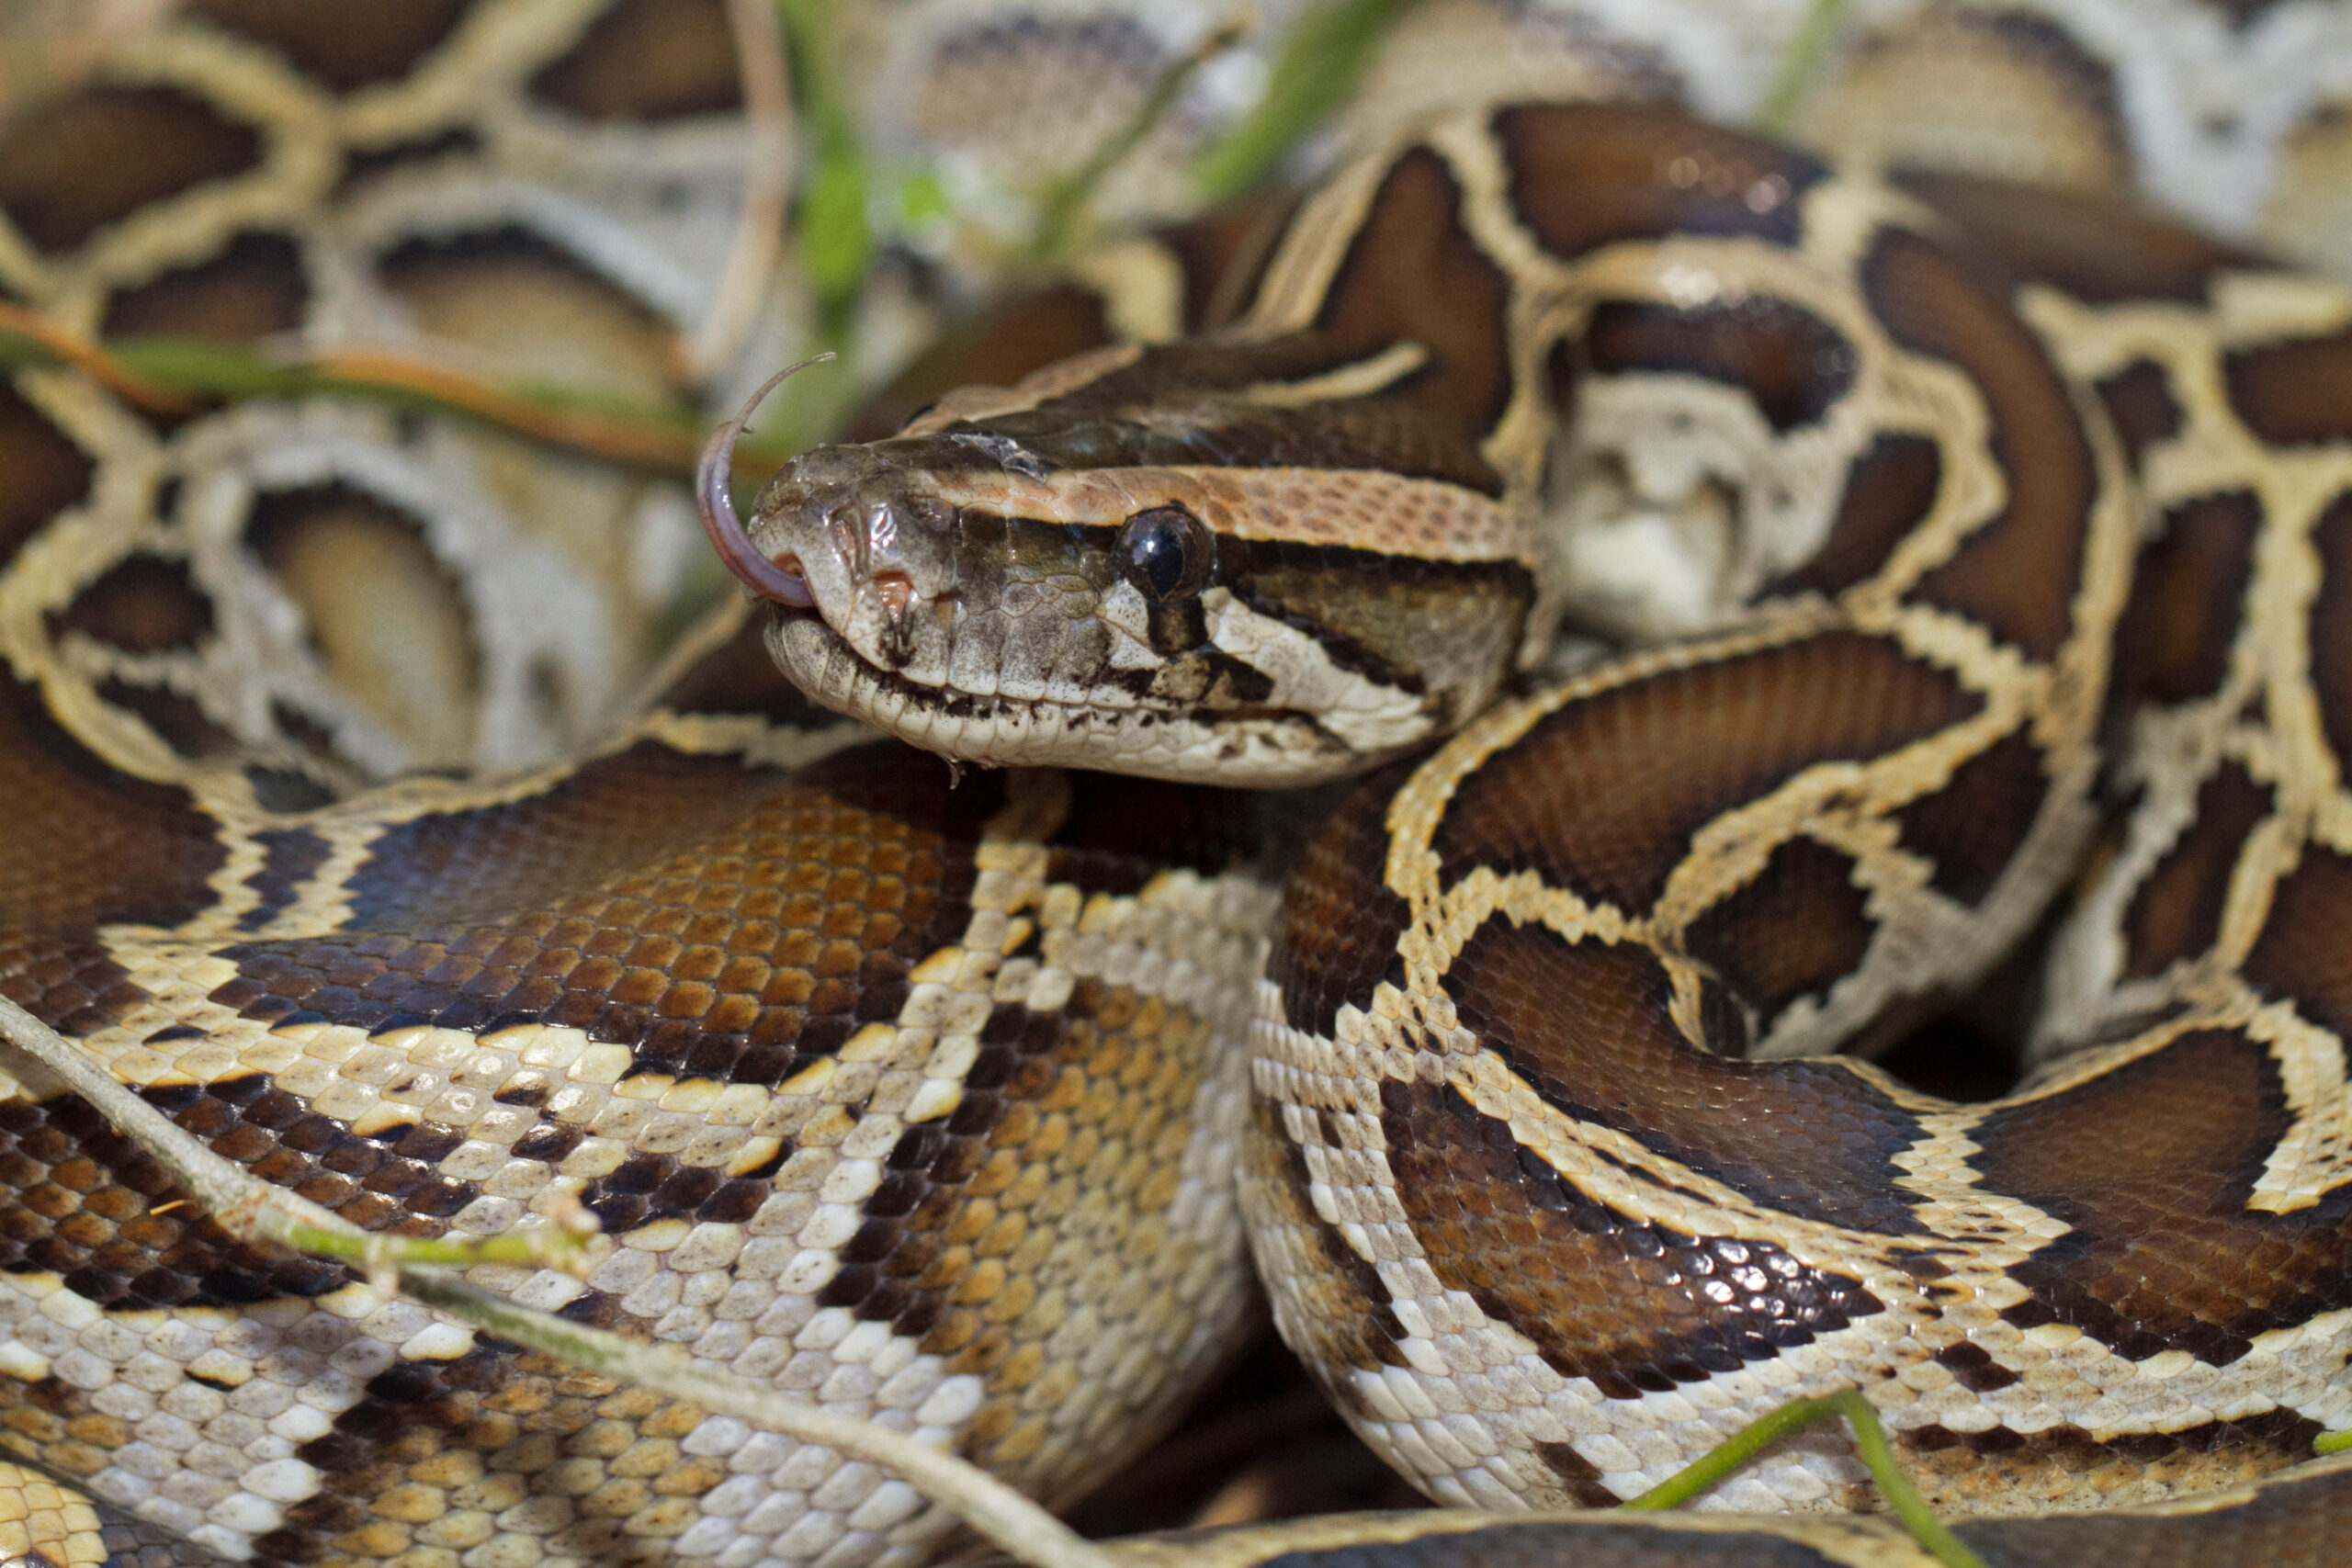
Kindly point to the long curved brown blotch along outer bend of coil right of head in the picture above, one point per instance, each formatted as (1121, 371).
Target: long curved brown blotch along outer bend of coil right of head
(2019, 570)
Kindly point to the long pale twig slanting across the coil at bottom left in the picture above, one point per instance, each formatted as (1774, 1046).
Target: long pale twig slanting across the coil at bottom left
(260, 1212)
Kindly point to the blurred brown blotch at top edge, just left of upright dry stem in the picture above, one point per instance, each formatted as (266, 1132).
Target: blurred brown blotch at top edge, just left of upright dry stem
(648, 60)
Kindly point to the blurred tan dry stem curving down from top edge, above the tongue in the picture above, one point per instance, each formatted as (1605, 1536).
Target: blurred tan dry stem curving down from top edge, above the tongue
(768, 177)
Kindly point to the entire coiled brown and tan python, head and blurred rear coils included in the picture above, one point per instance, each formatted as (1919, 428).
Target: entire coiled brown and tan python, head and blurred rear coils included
(1932, 551)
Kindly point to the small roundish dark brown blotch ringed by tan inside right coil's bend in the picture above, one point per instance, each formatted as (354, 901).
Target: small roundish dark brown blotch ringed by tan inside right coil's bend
(1793, 932)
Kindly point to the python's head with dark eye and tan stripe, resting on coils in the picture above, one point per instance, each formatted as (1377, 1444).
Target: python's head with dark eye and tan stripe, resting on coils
(1121, 575)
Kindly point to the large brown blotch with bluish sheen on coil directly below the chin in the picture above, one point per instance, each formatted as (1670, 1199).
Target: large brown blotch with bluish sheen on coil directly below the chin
(721, 920)
